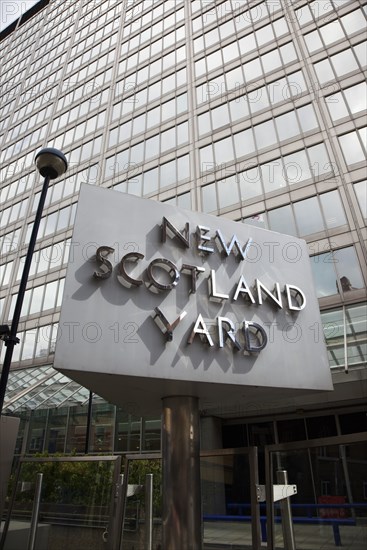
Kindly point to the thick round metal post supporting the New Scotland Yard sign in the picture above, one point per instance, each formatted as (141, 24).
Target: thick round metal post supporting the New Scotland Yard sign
(181, 473)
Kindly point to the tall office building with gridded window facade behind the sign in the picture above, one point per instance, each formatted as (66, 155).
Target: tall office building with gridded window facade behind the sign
(253, 110)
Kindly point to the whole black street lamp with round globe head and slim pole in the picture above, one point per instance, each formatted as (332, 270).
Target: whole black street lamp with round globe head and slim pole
(51, 164)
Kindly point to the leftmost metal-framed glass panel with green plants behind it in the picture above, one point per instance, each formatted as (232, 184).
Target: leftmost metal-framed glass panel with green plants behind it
(77, 506)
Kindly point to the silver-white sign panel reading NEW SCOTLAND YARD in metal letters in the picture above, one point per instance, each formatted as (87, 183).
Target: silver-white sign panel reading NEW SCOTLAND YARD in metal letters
(160, 301)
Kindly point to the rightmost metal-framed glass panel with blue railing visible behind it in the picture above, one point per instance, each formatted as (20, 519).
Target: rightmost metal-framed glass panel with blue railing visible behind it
(330, 507)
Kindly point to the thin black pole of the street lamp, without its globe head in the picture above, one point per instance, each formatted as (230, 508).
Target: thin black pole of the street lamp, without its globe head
(12, 339)
